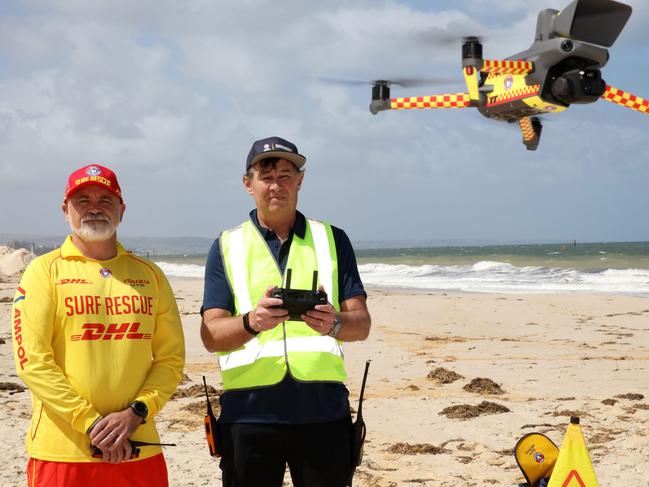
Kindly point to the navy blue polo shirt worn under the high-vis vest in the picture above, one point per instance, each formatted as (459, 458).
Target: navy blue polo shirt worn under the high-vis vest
(290, 401)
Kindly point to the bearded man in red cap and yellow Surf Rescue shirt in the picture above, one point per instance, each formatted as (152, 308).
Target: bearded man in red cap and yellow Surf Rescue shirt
(98, 340)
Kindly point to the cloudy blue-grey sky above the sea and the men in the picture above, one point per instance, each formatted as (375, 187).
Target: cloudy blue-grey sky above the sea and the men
(172, 94)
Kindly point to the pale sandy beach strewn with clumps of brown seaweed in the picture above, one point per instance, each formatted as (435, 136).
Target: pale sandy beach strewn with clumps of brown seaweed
(541, 358)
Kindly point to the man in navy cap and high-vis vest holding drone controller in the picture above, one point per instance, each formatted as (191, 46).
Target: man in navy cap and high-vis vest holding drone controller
(284, 401)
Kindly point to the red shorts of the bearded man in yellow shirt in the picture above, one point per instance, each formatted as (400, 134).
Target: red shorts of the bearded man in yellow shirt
(151, 472)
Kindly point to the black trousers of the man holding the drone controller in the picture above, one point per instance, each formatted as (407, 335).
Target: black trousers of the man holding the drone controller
(256, 455)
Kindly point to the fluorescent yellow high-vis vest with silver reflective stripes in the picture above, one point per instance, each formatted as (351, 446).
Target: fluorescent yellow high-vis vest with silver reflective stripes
(250, 269)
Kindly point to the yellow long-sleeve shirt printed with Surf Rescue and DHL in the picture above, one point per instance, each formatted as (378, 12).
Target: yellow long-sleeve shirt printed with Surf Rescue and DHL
(89, 338)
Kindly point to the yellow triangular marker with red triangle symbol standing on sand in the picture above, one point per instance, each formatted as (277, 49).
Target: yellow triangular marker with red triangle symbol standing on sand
(573, 467)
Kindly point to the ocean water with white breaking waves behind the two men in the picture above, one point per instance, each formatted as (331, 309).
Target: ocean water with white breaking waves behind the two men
(617, 268)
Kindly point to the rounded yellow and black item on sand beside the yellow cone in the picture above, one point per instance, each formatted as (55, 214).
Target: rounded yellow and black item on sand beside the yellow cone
(536, 455)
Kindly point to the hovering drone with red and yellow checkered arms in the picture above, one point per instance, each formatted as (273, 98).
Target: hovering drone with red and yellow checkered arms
(561, 67)
